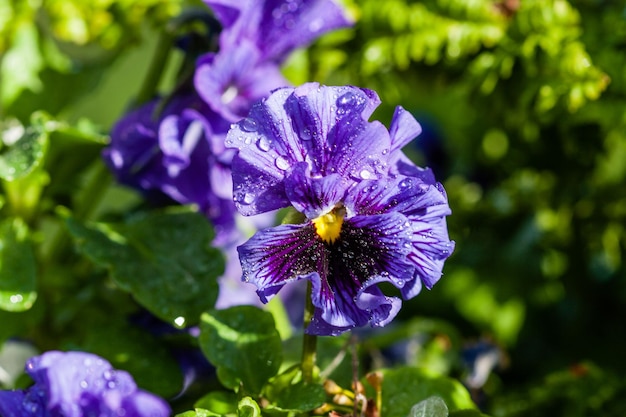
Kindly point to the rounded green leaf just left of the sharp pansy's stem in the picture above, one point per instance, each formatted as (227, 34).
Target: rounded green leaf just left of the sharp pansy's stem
(244, 345)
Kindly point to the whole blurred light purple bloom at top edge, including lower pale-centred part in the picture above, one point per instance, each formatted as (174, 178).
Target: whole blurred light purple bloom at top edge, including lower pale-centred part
(257, 36)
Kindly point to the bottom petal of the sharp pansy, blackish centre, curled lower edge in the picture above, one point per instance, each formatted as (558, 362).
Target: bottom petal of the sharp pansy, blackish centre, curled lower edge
(372, 249)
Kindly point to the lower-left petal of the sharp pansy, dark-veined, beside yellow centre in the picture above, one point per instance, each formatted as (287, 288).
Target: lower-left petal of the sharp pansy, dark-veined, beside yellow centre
(275, 256)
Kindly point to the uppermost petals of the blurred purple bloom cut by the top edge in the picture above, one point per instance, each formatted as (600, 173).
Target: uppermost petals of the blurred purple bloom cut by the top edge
(276, 27)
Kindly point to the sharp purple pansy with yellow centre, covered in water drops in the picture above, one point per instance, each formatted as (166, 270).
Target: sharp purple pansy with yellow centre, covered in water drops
(369, 215)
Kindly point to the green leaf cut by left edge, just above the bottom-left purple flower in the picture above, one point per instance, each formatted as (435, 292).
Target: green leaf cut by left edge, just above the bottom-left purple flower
(18, 273)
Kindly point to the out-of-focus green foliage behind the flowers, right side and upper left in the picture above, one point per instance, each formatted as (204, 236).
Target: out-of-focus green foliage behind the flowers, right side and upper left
(523, 105)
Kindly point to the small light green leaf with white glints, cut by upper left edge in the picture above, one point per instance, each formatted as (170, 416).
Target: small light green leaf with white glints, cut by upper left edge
(23, 155)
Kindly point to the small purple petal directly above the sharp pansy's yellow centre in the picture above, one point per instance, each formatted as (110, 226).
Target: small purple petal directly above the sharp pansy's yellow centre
(313, 196)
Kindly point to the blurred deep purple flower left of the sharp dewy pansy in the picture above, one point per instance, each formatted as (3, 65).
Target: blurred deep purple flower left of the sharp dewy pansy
(177, 151)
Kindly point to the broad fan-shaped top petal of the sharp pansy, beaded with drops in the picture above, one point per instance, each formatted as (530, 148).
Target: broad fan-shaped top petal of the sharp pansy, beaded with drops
(322, 126)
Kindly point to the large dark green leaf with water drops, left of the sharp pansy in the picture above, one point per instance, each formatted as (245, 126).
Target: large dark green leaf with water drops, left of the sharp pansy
(164, 259)
